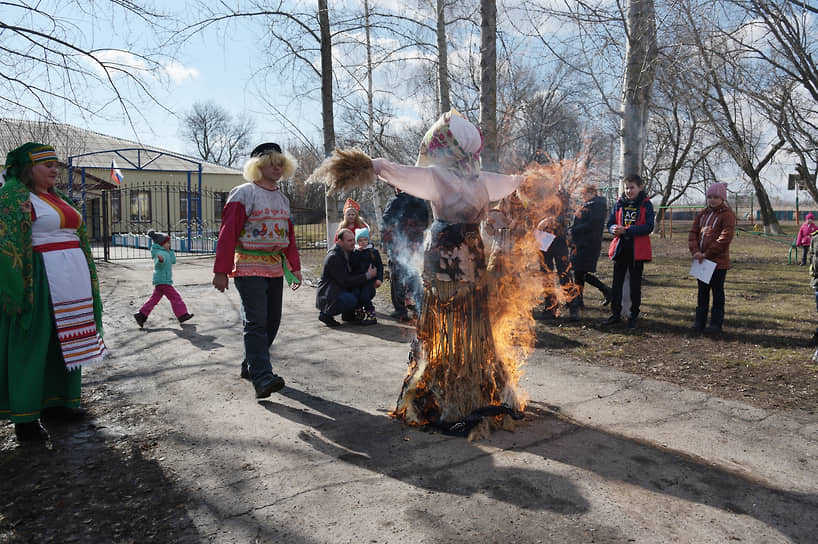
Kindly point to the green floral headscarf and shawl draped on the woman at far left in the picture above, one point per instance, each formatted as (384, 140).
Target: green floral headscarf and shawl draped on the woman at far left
(16, 253)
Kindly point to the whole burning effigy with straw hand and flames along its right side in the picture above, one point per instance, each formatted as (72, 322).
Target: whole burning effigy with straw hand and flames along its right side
(460, 378)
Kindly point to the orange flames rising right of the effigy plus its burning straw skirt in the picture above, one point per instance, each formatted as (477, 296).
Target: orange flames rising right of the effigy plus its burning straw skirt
(460, 360)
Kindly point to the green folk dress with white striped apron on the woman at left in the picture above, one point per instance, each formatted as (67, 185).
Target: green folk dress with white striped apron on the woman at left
(34, 373)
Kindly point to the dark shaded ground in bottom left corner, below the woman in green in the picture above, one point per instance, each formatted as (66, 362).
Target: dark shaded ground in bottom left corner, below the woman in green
(88, 484)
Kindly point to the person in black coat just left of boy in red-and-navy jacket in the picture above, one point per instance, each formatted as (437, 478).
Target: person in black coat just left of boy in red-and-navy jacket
(586, 239)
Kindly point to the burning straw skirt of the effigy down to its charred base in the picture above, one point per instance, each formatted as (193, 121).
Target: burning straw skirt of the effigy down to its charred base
(456, 381)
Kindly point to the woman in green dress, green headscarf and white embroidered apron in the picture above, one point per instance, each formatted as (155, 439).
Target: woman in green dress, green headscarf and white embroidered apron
(51, 320)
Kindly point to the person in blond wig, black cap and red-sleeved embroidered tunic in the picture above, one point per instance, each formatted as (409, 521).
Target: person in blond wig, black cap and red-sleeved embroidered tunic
(256, 247)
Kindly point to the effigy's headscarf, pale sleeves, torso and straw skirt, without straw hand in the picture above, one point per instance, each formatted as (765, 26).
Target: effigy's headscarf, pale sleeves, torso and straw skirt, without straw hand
(454, 367)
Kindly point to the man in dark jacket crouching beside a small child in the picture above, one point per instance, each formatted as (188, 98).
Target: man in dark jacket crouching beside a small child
(339, 290)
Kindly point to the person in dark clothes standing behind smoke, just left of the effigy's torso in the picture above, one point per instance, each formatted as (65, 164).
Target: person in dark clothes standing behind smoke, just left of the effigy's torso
(404, 220)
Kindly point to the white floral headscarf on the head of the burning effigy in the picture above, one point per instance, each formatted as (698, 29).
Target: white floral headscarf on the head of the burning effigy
(452, 142)
